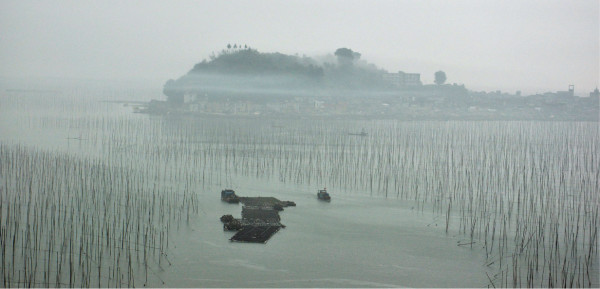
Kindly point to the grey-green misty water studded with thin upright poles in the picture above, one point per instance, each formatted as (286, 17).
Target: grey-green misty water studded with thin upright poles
(95, 195)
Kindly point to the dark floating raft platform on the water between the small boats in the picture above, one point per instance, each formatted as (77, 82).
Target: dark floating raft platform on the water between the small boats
(260, 219)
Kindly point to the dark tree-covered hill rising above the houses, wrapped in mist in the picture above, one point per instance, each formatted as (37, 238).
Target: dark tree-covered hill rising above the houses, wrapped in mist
(246, 71)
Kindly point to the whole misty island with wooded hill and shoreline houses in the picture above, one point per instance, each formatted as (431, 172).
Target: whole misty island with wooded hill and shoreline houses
(246, 82)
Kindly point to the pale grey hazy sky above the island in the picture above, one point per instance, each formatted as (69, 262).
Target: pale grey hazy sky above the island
(533, 46)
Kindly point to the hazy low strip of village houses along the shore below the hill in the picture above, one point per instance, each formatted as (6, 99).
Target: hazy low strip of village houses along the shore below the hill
(411, 99)
